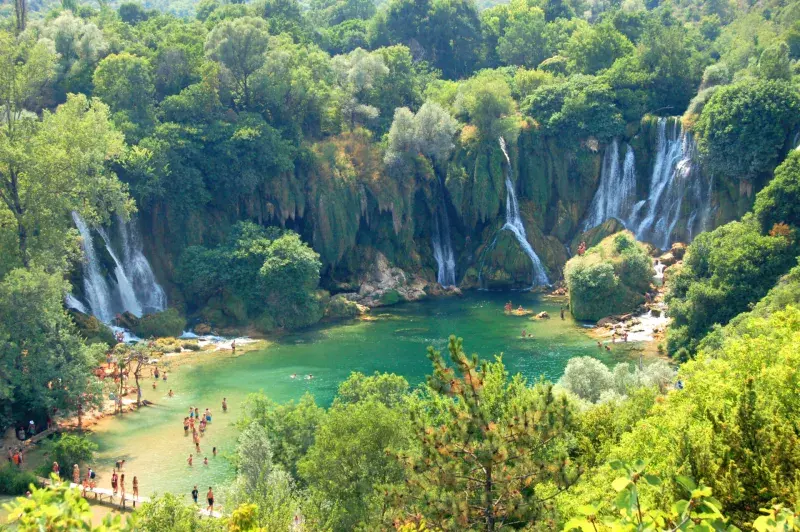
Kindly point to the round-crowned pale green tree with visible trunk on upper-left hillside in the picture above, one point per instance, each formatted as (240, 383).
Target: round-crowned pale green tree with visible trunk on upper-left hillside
(239, 46)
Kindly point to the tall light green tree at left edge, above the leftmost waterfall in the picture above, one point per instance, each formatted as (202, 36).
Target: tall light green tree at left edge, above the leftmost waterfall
(55, 165)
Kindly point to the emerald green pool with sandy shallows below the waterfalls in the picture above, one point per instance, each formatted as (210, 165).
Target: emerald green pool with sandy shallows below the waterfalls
(154, 446)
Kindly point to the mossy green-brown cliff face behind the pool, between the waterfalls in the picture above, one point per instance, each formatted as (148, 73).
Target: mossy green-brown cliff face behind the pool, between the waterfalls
(348, 204)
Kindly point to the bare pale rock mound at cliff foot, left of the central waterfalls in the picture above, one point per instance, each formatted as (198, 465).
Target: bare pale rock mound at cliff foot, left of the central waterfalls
(384, 284)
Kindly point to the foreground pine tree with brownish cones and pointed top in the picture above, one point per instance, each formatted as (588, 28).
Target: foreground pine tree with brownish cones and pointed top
(490, 448)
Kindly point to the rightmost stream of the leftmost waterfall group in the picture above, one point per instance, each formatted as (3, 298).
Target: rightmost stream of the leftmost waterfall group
(150, 294)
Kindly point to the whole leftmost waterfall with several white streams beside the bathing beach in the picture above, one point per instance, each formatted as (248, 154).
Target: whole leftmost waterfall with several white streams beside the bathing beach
(132, 288)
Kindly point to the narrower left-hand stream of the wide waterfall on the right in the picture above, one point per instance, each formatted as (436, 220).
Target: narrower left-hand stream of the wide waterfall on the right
(616, 194)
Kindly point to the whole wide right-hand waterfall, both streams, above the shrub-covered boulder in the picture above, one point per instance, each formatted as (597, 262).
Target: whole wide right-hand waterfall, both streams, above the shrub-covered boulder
(677, 190)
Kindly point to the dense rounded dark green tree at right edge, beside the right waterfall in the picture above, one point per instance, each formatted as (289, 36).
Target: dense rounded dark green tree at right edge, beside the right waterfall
(744, 127)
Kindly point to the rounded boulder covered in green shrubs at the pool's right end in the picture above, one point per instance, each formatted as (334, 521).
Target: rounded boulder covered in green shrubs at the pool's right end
(609, 278)
